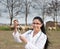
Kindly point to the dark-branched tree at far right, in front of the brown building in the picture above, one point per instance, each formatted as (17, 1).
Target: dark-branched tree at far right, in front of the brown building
(54, 8)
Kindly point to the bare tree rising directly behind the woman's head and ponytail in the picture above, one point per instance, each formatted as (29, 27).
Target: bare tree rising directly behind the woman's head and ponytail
(41, 5)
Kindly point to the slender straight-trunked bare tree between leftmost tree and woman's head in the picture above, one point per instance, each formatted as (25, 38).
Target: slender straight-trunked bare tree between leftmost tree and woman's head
(26, 7)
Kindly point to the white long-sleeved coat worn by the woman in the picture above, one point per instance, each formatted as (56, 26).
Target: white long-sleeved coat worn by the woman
(36, 42)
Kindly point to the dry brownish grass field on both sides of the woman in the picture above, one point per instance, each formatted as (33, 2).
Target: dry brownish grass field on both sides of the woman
(7, 41)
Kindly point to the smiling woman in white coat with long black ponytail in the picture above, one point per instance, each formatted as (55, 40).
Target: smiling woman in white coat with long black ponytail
(33, 39)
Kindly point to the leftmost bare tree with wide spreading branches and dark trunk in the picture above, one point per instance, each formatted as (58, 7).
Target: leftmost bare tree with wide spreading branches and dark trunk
(13, 7)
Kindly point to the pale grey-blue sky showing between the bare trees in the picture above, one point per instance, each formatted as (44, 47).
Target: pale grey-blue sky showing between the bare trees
(4, 18)
